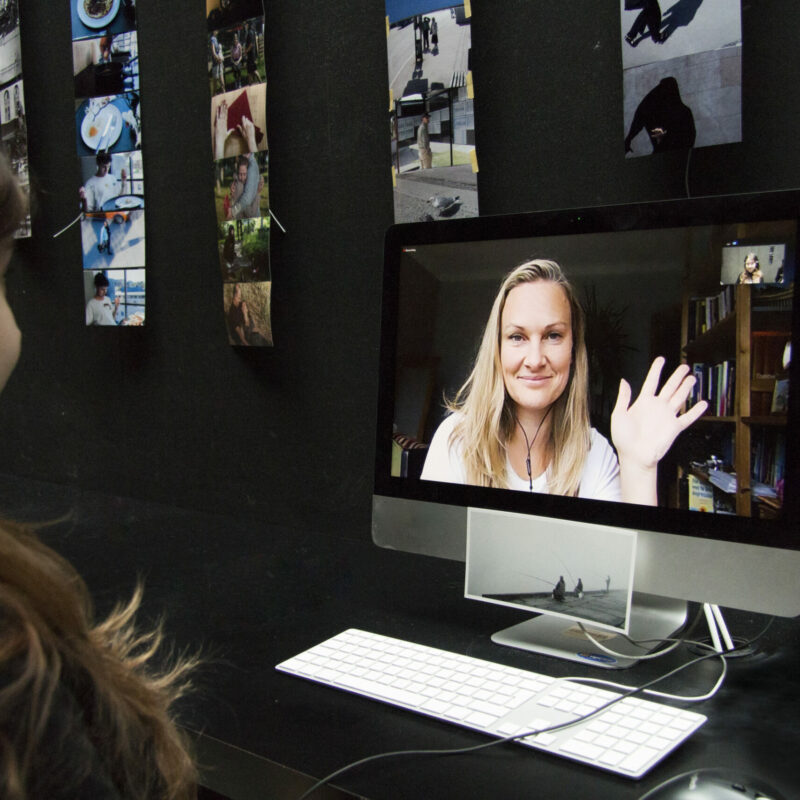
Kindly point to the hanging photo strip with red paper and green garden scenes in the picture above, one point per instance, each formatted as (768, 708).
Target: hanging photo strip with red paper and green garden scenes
(238, 123)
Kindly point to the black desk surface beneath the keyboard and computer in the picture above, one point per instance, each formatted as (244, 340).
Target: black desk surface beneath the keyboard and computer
(252, 595)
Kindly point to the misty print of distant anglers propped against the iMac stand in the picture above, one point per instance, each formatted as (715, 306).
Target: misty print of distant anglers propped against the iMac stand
(546, 566)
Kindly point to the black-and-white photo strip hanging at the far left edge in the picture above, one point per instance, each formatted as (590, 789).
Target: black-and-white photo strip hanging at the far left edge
(13, 130)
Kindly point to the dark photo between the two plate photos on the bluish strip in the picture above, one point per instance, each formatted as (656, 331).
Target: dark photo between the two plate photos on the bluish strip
(107, 65)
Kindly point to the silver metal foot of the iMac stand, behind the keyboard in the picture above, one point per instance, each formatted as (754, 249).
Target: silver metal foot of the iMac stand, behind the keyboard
(653, 618)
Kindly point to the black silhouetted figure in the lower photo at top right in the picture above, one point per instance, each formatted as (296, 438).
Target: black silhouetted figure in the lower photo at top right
(669, 122)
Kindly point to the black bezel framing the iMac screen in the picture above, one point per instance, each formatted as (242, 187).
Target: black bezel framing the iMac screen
(638, 216)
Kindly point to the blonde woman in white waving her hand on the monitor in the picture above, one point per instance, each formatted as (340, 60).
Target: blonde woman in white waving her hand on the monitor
(521, 419)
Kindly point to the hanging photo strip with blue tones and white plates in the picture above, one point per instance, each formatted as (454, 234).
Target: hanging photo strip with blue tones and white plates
(108, 141)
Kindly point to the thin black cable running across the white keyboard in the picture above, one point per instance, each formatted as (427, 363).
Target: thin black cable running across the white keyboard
(494, 742)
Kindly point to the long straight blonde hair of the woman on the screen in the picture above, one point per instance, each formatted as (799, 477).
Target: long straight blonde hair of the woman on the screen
(487, 412)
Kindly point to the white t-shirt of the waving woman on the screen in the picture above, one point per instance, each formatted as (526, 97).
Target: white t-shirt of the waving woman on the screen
(599, 479)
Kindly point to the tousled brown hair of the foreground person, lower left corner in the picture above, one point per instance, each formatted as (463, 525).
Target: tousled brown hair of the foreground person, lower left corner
(65, 676)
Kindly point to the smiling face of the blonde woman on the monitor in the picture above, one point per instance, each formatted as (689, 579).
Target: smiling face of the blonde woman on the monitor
(536, 346)
